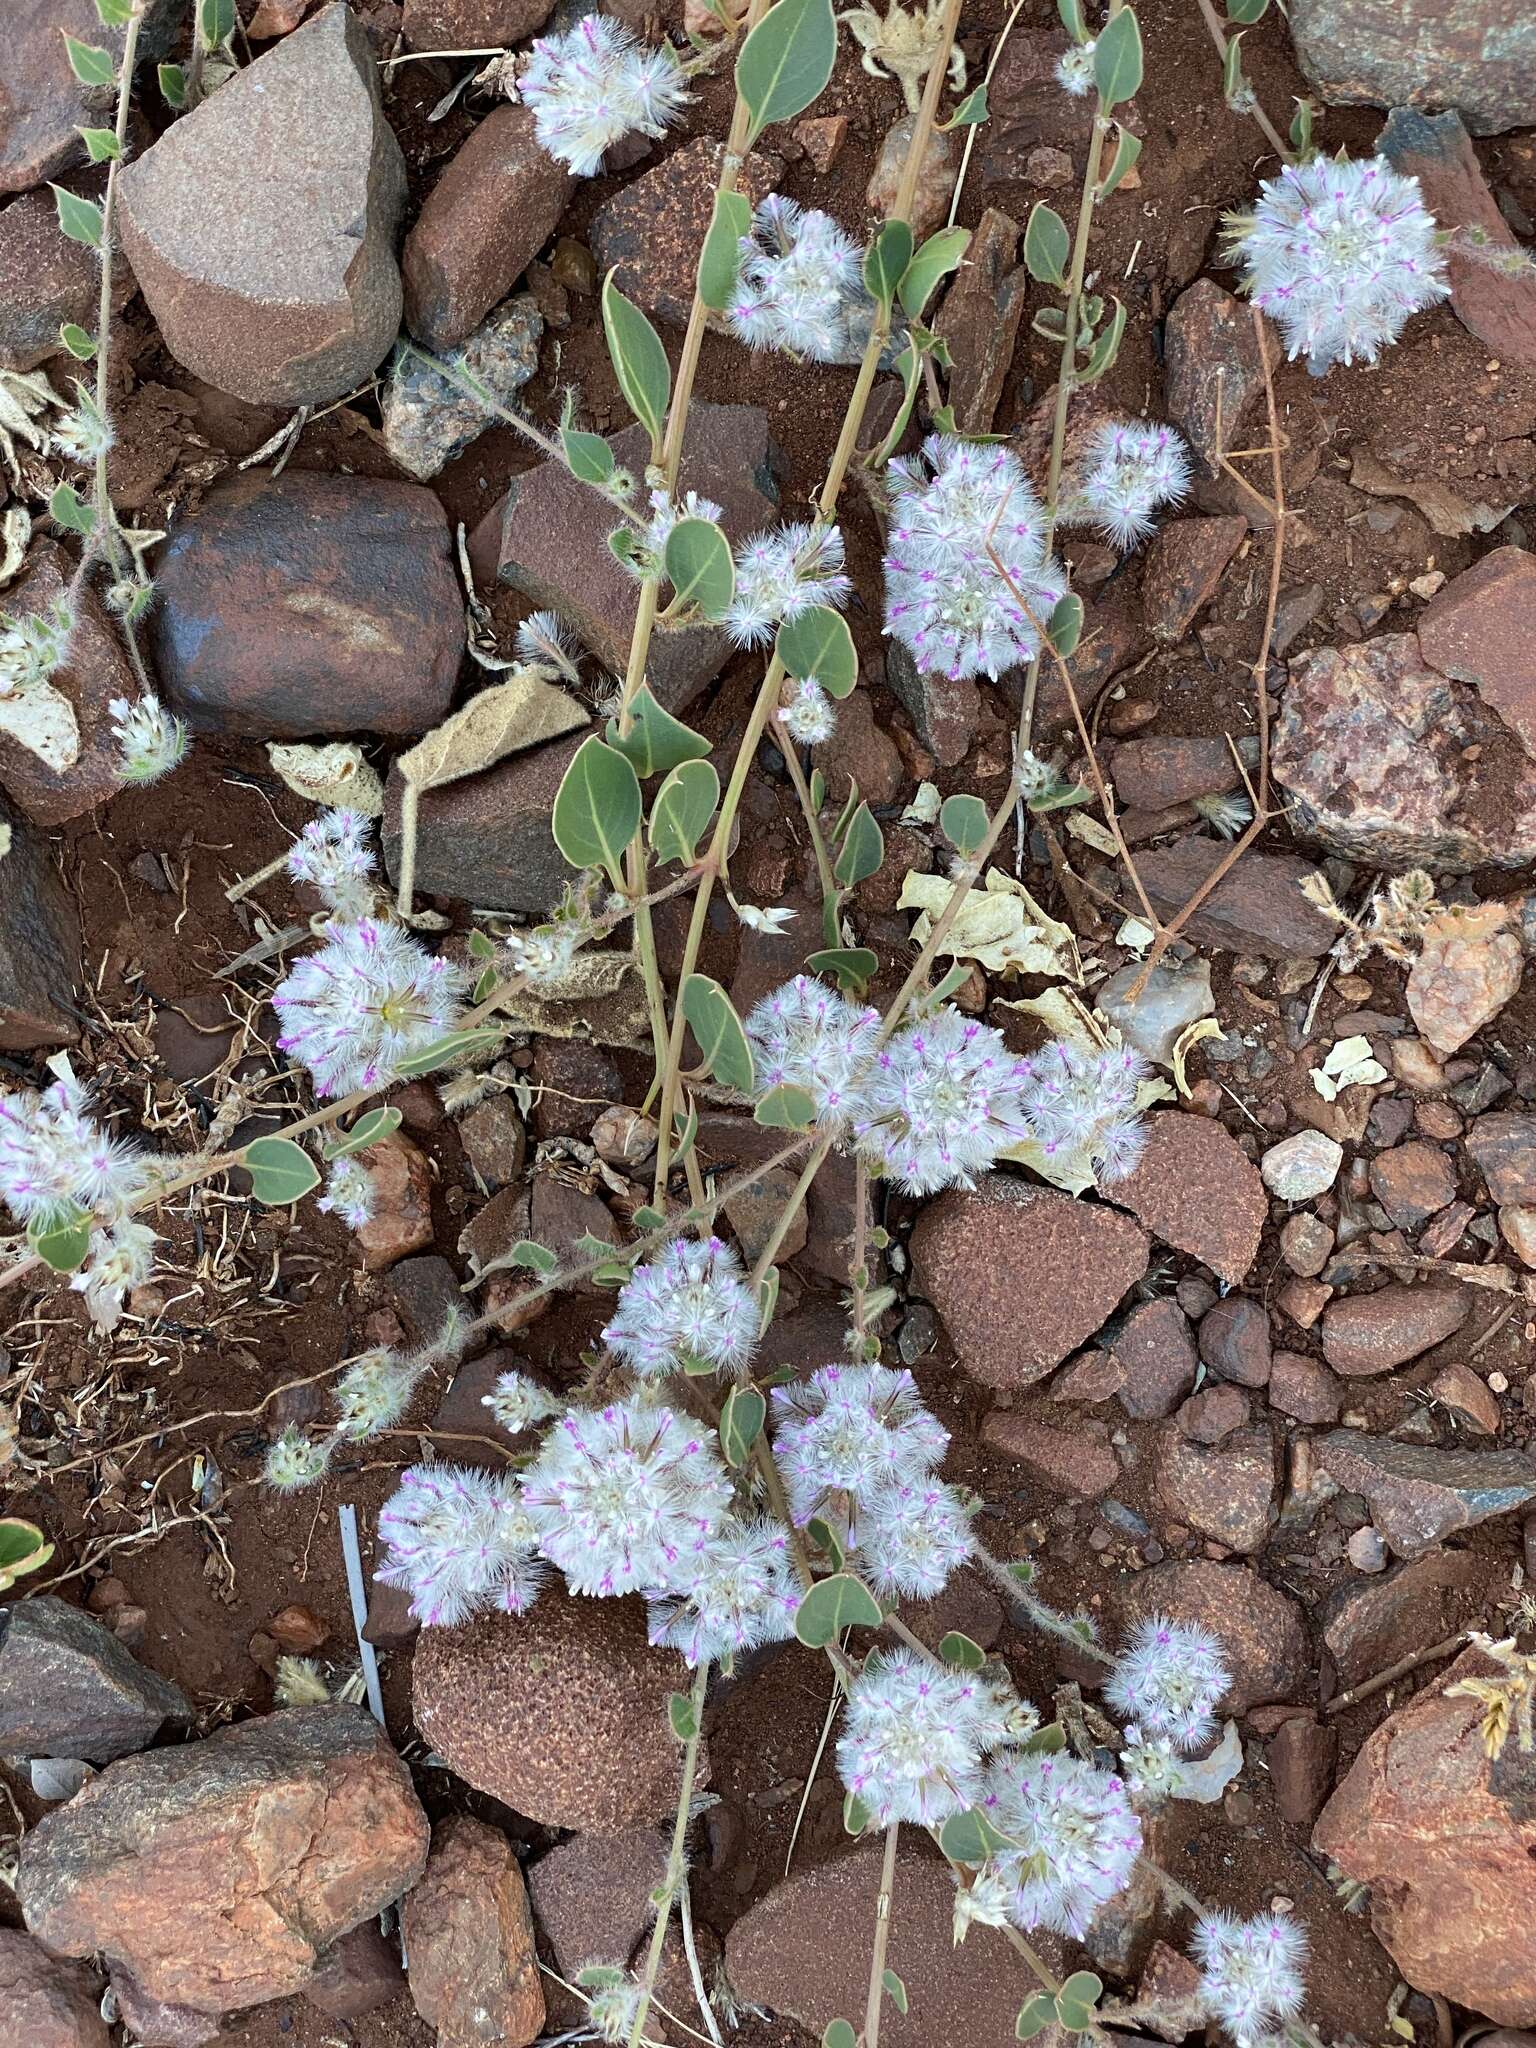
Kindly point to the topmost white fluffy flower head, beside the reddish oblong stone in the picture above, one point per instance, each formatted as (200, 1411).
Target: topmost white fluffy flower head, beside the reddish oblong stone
(593, 87)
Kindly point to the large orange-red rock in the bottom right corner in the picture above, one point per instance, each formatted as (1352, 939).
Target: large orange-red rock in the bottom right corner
(1449, 1850)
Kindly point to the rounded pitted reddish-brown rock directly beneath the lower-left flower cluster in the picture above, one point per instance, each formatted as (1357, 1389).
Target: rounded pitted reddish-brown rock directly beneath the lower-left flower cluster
(560, 1713)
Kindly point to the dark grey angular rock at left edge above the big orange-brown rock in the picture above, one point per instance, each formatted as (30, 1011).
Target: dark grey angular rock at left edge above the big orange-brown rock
(69, 1689)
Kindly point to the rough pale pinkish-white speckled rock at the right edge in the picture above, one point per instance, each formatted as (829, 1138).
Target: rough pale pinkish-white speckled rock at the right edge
(1373, 749)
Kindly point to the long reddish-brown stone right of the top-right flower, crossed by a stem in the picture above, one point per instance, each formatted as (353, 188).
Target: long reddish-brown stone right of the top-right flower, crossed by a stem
(1439, 153)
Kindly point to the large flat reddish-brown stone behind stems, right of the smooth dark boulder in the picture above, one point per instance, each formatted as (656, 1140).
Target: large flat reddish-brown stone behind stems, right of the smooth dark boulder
(550, 542)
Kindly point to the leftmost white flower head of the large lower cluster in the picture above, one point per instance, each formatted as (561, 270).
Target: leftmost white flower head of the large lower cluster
(460, 1541)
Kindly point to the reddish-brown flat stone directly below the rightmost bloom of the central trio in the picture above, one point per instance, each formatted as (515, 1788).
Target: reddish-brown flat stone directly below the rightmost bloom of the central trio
(1199, 1193)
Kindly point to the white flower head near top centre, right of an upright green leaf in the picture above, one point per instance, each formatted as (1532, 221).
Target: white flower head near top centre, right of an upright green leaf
(802, 286)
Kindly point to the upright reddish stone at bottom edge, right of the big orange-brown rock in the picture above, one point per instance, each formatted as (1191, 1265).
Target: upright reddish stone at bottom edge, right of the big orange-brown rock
(468, 1934)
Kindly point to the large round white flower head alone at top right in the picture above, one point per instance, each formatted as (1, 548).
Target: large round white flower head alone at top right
(1340, 255)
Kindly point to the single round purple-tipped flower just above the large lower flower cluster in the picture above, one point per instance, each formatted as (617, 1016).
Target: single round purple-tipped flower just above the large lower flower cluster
(687, 1310)
